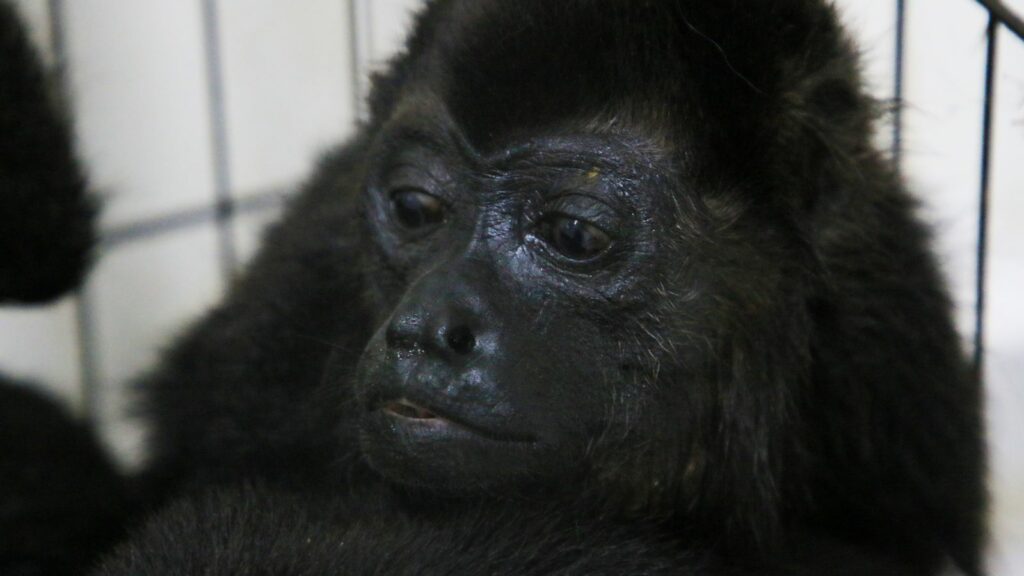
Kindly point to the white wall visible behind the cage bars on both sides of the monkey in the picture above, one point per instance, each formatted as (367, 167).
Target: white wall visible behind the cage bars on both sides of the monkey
(141, 97)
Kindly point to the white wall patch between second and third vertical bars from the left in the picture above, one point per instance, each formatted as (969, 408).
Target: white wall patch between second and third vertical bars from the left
(288, 87)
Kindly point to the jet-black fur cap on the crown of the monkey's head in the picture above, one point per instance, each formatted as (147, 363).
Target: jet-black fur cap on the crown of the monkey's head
(505, 68)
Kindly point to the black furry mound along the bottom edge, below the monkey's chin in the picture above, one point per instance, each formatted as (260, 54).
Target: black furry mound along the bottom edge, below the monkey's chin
(259, 531)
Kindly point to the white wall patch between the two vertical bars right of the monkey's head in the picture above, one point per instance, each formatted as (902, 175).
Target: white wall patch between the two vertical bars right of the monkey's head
(945, 95)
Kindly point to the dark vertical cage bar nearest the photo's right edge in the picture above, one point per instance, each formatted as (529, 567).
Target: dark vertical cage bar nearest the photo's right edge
(987, 168)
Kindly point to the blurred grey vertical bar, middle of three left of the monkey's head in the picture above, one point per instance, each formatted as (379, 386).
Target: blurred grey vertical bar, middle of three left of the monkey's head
(225, 205)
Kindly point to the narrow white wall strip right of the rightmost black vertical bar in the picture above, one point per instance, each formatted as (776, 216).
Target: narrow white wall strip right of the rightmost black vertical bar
(1005, 318)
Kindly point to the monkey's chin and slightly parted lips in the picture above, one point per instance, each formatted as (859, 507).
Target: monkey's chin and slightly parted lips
(426, 450)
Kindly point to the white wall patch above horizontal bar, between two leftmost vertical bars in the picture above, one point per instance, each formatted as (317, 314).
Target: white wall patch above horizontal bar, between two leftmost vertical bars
(139, 90)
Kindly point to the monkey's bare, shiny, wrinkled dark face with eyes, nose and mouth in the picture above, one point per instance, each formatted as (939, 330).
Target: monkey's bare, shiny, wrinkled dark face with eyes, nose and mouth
(510, 290)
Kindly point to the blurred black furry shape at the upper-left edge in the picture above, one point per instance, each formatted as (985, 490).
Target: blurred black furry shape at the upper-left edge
(46, 212)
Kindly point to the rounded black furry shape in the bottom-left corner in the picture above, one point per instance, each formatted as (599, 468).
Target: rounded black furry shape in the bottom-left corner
(62, 502)
